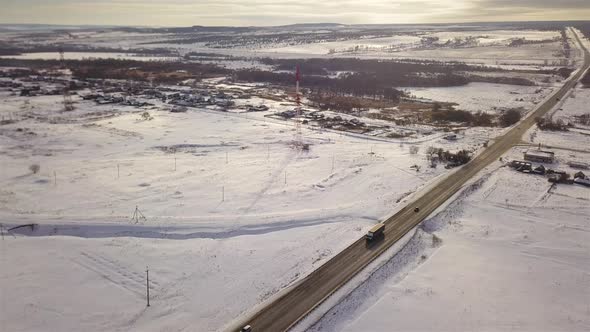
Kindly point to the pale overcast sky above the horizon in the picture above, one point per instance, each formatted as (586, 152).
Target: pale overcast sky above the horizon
(277, 12)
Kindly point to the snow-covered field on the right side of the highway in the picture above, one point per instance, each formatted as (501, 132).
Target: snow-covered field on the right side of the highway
(511, 254)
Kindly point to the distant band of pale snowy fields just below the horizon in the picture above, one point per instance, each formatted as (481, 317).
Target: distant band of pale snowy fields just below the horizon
(488, 46)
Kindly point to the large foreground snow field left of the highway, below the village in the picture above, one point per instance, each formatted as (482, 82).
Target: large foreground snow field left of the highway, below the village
(235, 213)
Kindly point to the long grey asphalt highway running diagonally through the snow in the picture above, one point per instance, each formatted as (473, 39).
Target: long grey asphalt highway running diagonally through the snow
(301, 298)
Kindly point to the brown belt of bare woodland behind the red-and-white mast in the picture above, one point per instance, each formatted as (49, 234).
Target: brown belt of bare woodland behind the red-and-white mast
(371, 78)
